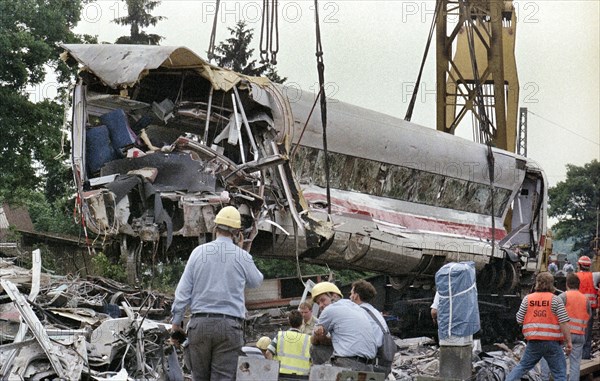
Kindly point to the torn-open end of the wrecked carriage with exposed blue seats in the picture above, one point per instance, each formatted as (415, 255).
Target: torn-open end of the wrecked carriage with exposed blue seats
(162, 140)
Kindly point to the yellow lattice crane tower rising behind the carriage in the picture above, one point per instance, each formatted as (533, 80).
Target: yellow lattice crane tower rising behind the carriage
(481, 77)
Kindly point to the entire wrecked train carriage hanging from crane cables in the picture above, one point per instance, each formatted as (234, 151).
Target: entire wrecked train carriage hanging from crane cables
(405, 199)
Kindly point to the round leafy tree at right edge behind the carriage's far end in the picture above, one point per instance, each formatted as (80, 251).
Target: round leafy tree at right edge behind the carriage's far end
(574, 202)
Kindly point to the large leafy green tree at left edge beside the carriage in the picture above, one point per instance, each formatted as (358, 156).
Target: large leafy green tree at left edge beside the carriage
(31, 32)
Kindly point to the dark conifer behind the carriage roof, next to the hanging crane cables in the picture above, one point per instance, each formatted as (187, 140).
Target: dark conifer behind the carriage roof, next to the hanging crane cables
(234, 53)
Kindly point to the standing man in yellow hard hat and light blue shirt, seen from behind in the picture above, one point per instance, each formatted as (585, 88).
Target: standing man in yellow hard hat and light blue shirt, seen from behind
(212, 285)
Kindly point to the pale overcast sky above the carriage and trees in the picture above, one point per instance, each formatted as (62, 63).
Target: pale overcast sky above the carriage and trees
(373, 50)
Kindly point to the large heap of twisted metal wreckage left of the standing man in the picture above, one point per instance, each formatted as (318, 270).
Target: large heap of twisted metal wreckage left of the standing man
(73, 329)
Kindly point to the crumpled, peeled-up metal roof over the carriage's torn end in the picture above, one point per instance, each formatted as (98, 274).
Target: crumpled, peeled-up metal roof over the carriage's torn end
(120, 66)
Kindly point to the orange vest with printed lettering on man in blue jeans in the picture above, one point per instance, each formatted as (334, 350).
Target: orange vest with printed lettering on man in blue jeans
(540, 323)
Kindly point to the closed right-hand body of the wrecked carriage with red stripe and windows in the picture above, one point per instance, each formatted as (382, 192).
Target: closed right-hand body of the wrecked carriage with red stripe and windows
(407, 199)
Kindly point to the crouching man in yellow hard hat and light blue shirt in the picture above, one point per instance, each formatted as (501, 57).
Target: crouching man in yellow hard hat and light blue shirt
(346, 327)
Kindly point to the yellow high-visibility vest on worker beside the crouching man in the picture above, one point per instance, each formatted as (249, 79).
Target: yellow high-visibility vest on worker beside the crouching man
(293, 352)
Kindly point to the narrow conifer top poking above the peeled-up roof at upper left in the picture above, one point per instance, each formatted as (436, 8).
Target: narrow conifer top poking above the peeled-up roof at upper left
(138, 17)
